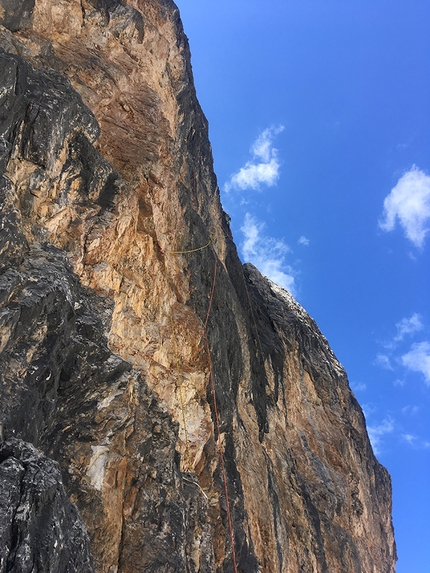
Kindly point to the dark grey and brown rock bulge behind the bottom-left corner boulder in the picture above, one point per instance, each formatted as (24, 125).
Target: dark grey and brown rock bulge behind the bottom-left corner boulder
(63, 389)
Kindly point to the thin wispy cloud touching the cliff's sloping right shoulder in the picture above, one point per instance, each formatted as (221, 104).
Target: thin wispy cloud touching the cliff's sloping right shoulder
(266, 253)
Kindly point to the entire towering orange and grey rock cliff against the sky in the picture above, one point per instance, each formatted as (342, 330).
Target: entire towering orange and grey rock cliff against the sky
(199, 417)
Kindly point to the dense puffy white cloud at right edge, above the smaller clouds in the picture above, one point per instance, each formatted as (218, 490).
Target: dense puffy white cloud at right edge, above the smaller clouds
(409, 201)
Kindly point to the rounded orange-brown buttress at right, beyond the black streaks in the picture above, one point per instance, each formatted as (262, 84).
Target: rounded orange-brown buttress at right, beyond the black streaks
(336, 495)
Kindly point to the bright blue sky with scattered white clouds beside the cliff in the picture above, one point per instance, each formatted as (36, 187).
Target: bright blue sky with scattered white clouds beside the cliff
(320, 126)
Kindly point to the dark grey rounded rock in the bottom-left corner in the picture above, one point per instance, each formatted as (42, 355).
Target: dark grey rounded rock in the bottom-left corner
(40, 530)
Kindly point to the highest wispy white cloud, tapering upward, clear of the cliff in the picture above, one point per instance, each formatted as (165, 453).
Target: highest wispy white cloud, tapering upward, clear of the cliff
(264, 167)
